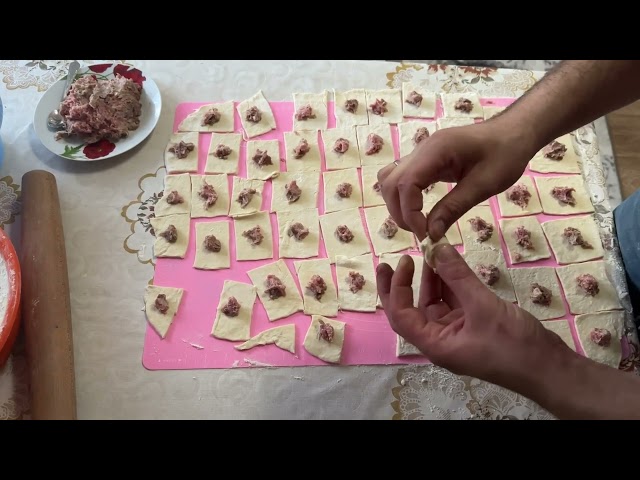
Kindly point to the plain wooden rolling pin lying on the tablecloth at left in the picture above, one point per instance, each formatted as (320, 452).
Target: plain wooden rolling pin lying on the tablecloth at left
(46, 308)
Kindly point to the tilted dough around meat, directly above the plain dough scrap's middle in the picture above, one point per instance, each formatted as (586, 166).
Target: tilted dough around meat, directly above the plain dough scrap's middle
(280, 307)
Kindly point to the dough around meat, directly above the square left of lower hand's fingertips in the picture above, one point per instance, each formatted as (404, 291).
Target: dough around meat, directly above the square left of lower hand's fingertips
(351, 218)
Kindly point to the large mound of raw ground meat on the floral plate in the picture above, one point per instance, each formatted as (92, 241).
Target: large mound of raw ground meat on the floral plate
(101, 109)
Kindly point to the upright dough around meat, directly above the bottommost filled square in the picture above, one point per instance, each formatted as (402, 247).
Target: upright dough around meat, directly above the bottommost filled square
(328, 303)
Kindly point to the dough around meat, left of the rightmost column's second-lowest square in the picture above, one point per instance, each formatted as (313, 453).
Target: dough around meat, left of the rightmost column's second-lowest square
(522, 279)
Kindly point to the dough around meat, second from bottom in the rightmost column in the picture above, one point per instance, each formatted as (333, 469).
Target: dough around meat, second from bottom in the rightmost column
(579, 302)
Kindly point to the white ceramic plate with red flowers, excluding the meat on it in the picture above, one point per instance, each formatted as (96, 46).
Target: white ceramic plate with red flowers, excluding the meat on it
(74, 149)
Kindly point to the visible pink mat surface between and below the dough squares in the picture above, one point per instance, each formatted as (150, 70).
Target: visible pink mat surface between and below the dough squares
(369, 339)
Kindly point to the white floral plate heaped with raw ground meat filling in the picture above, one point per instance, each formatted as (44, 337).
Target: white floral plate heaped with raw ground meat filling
(109, 109)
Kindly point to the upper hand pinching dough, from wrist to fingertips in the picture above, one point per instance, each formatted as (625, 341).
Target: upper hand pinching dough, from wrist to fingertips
(484, 159)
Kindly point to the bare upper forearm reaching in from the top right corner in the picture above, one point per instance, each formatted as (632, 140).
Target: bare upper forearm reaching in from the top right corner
(571, 95)
